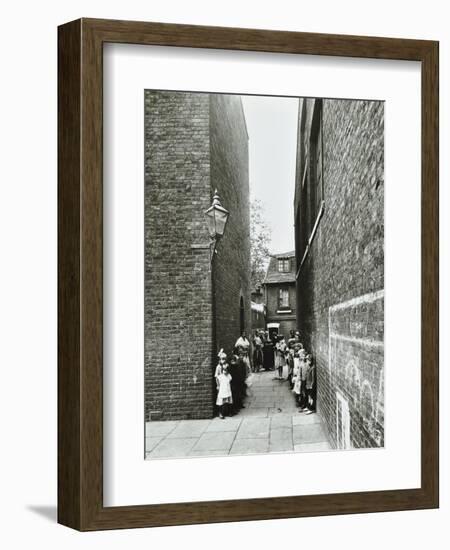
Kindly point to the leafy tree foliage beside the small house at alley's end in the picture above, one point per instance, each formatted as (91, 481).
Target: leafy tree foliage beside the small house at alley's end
(260, 237)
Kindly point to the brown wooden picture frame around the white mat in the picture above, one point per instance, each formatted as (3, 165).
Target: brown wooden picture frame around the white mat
(80, 271)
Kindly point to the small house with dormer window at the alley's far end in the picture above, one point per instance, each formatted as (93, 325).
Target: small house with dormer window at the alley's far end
(280, 294)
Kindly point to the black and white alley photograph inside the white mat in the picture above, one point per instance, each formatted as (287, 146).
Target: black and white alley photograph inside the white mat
(264, 274)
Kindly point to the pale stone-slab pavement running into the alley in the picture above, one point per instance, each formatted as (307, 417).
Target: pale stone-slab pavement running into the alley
(269, 423)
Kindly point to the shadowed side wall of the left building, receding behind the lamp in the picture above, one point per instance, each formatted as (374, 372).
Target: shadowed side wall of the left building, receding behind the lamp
(229, 175)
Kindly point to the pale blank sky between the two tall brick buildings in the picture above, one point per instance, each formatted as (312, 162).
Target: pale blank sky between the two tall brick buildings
(272, 128)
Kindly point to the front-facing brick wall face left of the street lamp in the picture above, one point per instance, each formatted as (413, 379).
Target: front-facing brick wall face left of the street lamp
(177, 278)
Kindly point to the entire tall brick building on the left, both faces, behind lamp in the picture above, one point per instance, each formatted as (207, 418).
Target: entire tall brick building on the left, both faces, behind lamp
(195, 143)
